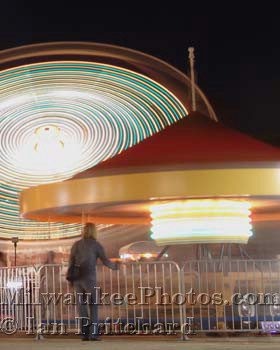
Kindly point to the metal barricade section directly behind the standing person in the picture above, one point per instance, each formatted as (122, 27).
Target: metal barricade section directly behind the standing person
(135, 298)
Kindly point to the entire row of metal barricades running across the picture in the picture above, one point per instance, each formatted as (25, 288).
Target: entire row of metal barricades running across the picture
(149, 297)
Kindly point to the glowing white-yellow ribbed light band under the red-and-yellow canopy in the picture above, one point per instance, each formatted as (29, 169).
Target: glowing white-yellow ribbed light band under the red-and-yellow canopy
(201, 221)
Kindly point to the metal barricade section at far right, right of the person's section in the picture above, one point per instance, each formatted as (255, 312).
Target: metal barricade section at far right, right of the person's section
(232, 295)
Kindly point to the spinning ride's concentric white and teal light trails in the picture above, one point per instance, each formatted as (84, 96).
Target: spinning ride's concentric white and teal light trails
(100, 110)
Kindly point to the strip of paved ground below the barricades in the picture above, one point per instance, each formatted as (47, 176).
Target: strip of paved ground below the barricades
(230, 343)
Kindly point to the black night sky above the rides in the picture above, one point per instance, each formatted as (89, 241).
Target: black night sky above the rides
(237, 51)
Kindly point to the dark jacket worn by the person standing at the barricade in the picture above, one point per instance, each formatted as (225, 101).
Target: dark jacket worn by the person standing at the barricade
(85, 253)
